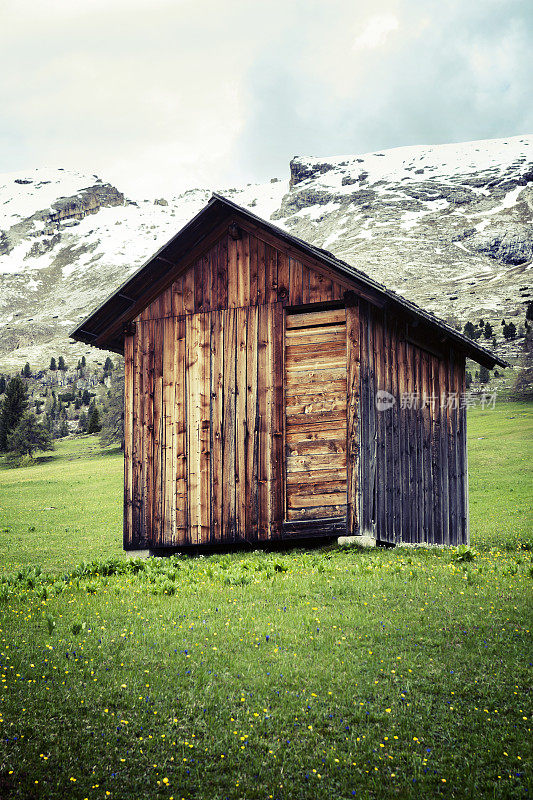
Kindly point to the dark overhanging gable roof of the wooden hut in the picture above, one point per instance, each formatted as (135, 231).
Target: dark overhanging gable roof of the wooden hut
(104, 328)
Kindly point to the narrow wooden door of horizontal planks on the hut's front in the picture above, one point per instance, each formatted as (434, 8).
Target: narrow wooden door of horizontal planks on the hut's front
(315, 415)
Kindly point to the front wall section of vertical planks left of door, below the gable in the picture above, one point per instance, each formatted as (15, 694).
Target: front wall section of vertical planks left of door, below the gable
(206, 453)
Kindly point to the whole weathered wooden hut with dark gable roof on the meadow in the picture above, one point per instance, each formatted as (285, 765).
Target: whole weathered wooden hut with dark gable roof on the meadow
(273, 392)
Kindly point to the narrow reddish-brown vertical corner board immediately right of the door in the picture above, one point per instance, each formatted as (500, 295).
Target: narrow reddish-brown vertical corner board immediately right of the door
(353, 357)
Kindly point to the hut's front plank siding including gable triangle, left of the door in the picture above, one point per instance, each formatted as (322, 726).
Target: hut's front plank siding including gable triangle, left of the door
(205, 402)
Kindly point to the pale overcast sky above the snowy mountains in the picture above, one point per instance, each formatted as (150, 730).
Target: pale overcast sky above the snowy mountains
(163, 95)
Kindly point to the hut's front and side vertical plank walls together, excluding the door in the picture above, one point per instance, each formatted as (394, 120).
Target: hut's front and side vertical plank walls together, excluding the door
(205, 410)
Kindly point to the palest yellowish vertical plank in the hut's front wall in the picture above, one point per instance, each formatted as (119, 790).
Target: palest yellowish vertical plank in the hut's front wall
(192, 338)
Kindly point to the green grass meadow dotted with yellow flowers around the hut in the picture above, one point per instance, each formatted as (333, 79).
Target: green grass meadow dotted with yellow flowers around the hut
(296, 675)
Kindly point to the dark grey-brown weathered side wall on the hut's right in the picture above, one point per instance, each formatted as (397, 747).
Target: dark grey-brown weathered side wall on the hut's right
(412, 467)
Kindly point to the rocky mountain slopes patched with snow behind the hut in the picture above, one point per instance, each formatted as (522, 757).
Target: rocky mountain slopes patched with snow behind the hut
(449, 226)
